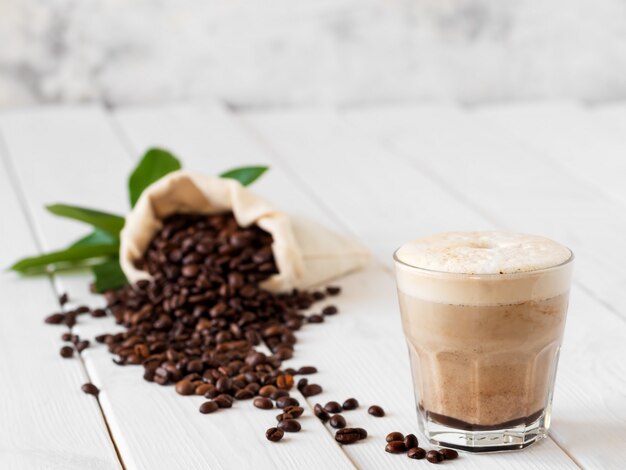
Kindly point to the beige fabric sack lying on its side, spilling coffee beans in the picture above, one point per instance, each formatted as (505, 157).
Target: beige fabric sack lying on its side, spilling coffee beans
(306, 253)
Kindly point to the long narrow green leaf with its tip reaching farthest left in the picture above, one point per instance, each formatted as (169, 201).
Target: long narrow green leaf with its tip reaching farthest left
(72, 256)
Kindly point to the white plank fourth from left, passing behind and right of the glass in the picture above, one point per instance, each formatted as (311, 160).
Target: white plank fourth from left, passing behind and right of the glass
(431, 142)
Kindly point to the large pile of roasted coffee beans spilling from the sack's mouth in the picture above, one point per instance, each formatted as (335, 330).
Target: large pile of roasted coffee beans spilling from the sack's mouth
(204, 324)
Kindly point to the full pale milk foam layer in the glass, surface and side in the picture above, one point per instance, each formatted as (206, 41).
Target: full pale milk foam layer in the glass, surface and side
(483, 268)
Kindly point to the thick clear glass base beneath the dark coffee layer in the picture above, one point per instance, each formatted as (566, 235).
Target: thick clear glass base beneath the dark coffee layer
(509, 437)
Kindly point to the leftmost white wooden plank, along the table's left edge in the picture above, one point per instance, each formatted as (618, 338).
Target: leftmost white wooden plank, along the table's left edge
(47, 421)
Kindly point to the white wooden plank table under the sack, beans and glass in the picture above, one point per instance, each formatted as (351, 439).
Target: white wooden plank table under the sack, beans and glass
(382, 175)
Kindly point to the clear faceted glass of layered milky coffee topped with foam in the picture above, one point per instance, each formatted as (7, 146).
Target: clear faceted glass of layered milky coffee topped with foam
(483, 314)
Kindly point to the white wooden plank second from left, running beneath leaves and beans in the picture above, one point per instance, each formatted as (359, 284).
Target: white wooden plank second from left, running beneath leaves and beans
(153, 427)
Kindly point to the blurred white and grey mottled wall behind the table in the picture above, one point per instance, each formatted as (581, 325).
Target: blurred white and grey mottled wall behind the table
(291, 52)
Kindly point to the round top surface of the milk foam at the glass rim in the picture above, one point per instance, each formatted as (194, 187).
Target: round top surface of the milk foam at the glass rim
(483, 253)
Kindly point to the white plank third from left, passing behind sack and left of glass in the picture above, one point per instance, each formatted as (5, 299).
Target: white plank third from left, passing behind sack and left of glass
(360, 352)
